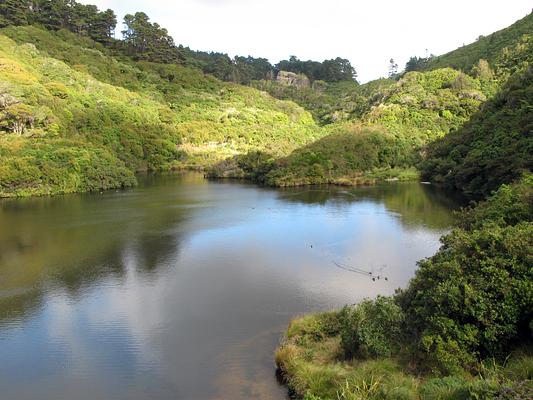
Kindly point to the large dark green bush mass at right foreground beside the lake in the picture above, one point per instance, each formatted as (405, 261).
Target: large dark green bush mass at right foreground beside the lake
(474, 298)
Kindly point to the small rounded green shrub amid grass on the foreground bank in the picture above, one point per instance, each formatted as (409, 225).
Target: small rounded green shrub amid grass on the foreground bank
(371, 328)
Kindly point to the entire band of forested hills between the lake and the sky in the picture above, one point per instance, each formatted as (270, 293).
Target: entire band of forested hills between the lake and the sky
(81, 110)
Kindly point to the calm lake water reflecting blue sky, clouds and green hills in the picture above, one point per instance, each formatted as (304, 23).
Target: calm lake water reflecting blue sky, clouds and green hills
(182, 288)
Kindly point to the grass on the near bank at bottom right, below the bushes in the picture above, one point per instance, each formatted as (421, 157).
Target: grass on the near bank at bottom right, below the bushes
(311, 362)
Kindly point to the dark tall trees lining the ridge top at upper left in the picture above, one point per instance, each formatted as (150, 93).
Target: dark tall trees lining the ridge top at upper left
(144, 40)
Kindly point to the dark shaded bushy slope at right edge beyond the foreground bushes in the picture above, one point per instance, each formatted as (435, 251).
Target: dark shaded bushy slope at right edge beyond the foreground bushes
(494, 147)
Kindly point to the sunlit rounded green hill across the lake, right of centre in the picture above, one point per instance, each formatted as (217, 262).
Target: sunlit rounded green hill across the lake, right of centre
(386, 141)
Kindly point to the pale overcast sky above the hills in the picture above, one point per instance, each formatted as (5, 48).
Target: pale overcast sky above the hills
(368, 33)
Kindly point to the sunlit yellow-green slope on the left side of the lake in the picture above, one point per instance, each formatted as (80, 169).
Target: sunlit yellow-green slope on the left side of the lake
(86, 120)
